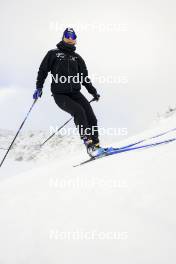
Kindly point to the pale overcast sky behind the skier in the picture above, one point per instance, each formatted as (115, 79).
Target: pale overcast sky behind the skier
(133, 41)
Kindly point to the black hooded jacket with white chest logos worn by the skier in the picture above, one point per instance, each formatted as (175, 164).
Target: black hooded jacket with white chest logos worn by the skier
(63, 61)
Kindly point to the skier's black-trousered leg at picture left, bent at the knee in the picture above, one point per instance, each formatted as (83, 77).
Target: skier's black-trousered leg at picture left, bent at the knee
(69, 105)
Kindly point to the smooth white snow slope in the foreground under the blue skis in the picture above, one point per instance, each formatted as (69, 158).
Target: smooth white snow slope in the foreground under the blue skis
(116, 209)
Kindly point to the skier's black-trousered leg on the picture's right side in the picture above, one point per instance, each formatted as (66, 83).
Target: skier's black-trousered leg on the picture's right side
(92, 120)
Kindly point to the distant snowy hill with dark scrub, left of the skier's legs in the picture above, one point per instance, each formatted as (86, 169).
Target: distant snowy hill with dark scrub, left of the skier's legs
(26, 151)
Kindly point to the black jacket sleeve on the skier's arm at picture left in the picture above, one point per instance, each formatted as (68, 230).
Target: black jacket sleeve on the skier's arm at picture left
(44, 68)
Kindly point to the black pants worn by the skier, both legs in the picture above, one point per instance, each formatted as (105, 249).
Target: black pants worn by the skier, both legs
(79, 107)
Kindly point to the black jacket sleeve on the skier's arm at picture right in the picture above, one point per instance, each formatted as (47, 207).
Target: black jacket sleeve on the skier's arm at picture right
(86, 80)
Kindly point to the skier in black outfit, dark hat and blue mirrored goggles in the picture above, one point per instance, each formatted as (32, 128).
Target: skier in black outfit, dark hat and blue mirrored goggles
(65, 64)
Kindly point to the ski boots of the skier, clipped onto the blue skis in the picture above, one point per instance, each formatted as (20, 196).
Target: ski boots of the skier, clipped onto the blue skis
(93, 150)
